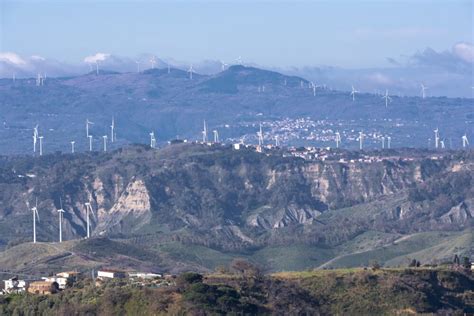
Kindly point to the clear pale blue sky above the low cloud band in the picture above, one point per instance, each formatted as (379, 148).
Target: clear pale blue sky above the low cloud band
(351, 34)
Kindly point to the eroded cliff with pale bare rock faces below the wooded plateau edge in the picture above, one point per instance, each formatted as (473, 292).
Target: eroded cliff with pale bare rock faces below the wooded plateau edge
(227, 193)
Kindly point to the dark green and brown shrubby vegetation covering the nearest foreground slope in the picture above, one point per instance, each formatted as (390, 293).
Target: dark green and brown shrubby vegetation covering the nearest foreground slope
(245, 291)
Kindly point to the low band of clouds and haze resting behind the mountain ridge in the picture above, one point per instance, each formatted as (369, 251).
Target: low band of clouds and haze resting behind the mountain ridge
(445, 73)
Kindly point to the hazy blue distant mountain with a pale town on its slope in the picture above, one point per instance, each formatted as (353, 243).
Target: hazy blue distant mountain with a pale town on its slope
(233, 102)
